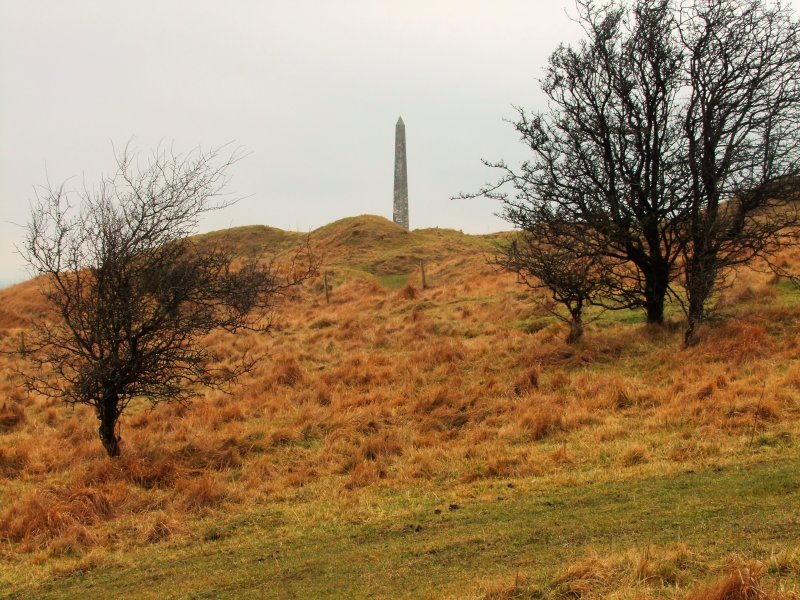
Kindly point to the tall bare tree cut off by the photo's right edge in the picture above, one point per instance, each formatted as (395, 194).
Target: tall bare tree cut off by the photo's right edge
(742, 130)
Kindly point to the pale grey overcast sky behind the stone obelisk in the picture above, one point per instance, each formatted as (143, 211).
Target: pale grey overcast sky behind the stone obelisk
(311, 88)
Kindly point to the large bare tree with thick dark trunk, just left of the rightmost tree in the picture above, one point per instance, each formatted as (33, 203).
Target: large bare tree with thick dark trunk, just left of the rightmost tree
(605, 151)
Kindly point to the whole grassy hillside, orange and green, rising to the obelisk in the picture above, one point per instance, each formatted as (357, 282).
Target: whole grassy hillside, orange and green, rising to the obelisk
(408, 443)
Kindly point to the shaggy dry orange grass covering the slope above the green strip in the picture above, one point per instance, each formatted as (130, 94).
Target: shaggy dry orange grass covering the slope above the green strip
(398, 388)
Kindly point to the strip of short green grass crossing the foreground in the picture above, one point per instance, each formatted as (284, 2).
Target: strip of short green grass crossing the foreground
(406, 550)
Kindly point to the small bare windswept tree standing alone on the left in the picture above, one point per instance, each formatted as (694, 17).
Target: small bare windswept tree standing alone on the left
(133, 294)
